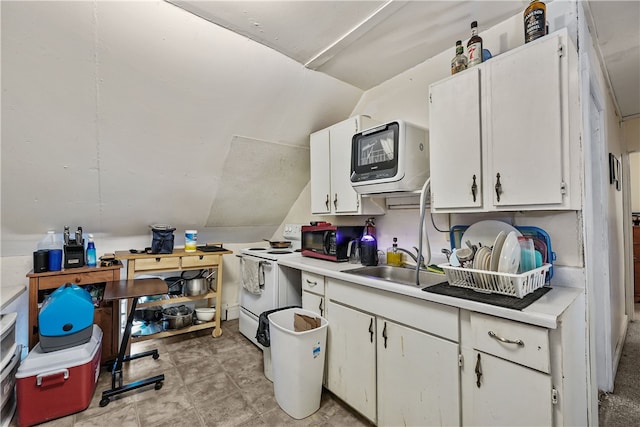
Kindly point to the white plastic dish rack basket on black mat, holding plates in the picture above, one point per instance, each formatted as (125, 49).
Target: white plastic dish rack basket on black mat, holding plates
(516, 285)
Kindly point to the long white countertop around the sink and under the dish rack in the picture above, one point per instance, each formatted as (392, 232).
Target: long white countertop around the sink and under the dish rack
(543, 312)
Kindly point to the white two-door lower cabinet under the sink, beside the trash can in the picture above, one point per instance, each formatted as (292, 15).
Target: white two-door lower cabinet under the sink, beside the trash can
(383, 366)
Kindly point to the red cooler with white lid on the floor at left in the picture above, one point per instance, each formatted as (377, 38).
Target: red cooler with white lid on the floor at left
(59, 383)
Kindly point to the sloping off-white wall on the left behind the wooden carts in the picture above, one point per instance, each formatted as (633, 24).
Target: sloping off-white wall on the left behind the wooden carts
(117, 115)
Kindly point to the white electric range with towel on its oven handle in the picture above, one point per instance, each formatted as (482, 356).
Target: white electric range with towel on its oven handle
(279, 286)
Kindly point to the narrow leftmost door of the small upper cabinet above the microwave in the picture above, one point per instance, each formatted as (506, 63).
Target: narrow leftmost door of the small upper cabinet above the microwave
(320, 172)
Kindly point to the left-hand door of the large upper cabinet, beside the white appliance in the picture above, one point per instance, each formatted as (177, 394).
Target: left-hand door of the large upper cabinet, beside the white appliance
(455, 141)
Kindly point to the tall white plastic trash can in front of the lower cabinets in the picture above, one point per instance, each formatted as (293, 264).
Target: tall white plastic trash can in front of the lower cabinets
(297, 362)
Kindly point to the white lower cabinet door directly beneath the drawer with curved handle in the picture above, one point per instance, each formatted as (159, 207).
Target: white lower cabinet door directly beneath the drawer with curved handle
(509, 394)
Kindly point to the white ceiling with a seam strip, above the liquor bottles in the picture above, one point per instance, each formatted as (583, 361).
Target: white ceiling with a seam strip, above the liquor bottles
(365, 43)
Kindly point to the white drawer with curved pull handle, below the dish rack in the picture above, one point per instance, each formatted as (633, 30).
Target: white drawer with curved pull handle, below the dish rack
(524, 344)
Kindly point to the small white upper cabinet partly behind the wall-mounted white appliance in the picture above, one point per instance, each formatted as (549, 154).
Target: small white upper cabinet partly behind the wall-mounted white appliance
(331, 190)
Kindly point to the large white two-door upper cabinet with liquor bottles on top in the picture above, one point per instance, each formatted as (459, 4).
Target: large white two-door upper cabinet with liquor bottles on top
(502, 132)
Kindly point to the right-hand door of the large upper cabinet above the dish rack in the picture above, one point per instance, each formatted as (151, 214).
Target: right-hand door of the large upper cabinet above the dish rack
(524, 125)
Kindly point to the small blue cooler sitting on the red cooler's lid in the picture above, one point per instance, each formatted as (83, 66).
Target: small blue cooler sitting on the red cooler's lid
(66, 318)
